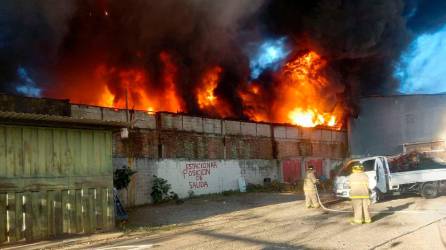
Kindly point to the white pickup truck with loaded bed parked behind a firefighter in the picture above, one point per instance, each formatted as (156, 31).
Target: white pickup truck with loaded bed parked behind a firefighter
(385, 179)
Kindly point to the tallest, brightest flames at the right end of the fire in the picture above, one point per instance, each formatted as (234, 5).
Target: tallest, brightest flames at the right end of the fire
(299, 96)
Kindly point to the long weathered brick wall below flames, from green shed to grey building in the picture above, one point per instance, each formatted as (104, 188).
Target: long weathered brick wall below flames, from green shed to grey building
(254, 151)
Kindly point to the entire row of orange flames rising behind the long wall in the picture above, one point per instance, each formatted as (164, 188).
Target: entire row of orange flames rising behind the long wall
(296, 95)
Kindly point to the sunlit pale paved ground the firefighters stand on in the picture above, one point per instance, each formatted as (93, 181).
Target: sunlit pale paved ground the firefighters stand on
(280, 221)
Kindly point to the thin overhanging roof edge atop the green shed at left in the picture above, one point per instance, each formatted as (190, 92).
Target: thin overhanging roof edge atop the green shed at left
(14, 116)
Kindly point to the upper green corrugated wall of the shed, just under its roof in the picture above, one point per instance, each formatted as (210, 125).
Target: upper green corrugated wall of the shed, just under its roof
(46, 152)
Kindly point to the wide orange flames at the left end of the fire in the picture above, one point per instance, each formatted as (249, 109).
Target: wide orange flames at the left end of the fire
(110, 86)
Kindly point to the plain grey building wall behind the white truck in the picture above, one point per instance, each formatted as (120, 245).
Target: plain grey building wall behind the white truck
(389, 125)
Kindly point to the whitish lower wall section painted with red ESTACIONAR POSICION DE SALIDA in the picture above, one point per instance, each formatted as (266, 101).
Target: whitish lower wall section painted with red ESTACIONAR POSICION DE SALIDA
(201, 177)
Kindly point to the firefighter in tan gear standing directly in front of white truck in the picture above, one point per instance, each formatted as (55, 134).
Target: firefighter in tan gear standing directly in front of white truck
(359, 194)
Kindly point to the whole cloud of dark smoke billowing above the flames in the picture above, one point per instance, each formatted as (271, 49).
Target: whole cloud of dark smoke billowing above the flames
(58, 42)
